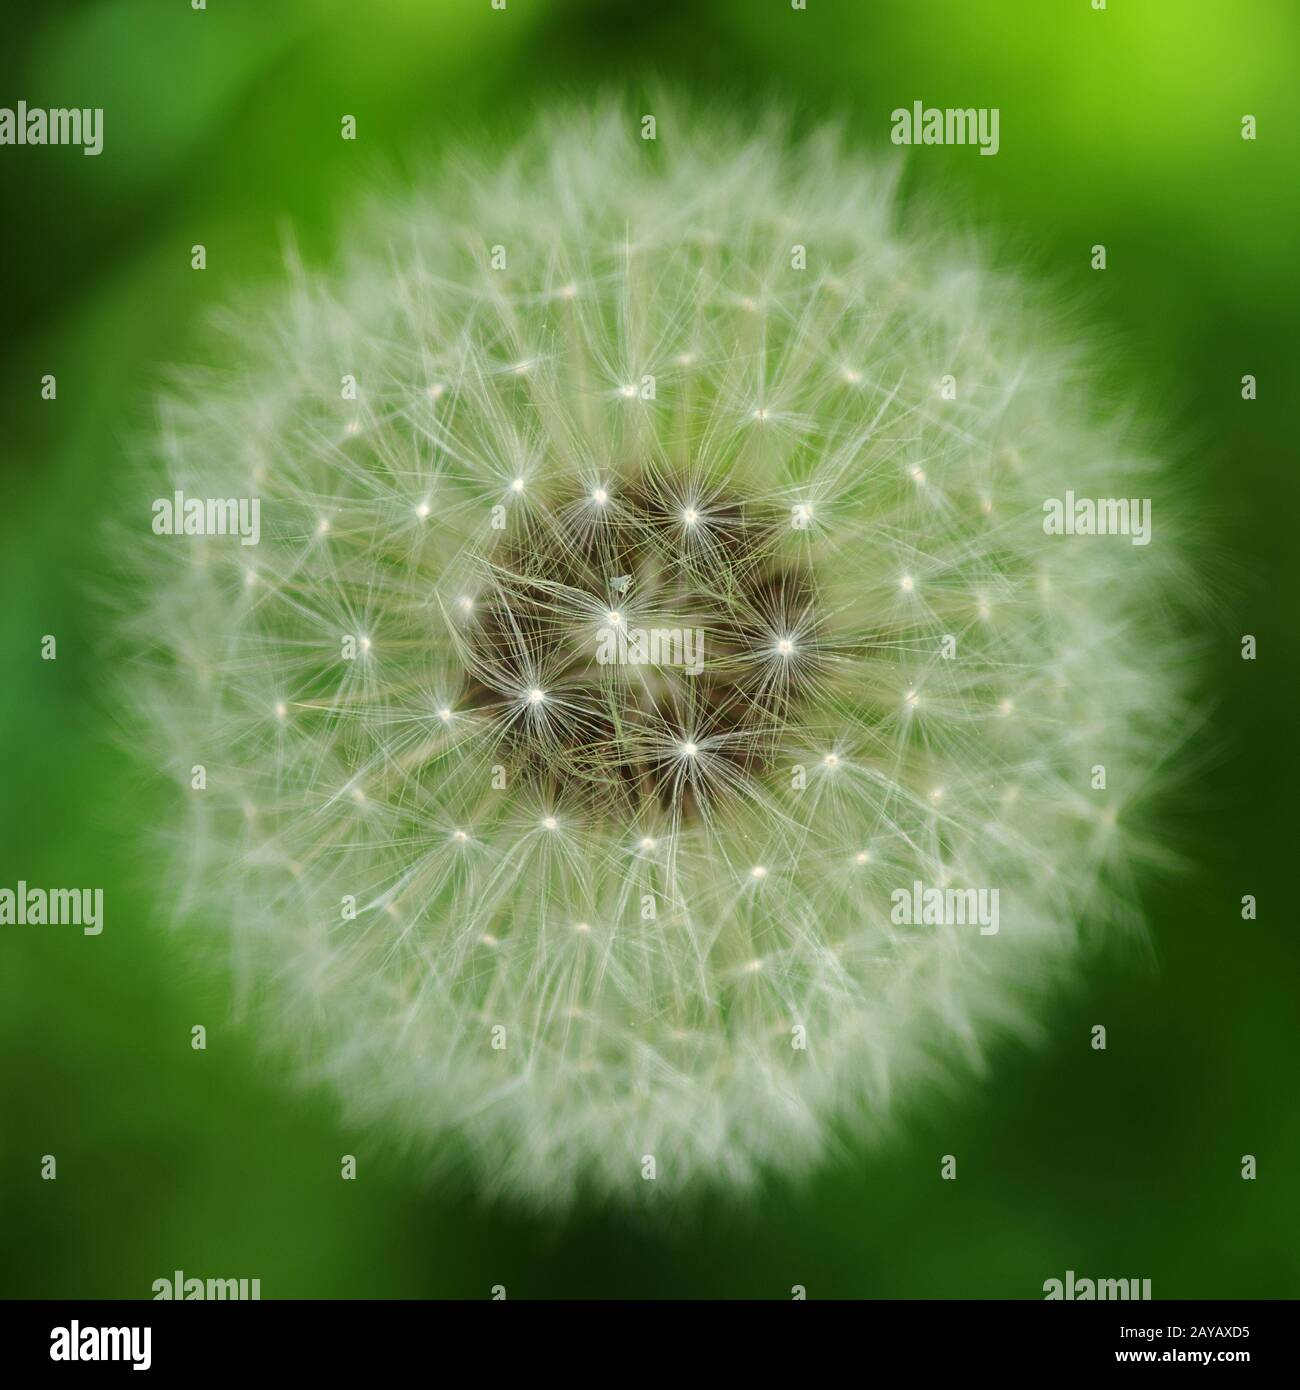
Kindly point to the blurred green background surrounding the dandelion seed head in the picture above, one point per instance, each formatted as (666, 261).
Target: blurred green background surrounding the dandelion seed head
(223, 127)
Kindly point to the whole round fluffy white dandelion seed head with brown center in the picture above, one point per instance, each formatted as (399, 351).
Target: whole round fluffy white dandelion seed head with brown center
(444, 675)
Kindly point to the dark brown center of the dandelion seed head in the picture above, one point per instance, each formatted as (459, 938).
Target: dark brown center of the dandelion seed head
(649, 651)
